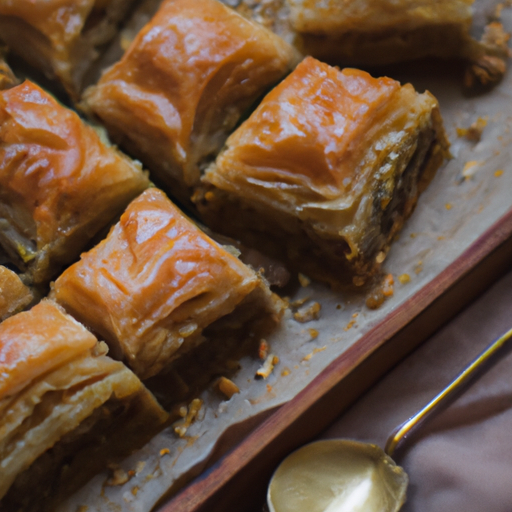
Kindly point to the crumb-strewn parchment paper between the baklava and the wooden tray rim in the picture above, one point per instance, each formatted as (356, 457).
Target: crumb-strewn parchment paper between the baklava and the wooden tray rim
(468, 195)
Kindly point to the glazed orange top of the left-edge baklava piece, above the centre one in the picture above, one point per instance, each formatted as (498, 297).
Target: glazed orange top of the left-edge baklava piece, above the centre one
(55, 173)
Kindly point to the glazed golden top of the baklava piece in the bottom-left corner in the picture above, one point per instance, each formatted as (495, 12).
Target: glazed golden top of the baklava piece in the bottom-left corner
(37, 341)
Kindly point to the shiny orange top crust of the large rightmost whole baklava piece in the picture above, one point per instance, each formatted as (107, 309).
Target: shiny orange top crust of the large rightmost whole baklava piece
(311, 131)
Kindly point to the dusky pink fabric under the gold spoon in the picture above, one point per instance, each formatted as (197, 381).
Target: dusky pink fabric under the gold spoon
(462, 460)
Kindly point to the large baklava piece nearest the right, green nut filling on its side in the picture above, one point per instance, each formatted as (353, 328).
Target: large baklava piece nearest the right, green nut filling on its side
(326, 170)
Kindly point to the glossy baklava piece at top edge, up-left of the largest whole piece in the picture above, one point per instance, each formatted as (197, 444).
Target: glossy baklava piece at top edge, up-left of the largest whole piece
(184, 83)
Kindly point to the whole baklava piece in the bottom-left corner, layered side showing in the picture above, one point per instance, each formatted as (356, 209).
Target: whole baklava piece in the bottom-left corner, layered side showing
(66, 408)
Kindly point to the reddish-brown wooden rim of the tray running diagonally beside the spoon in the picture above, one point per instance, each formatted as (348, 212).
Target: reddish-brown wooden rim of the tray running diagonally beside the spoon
(237, 482)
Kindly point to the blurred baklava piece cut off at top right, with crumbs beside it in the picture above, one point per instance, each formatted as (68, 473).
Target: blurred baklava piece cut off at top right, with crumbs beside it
(370, 32)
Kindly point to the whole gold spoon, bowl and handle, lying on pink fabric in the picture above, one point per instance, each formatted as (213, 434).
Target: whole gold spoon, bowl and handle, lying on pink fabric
(348, 476)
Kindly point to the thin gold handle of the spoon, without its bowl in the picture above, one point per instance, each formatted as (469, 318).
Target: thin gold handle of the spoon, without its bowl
(451, 391)
